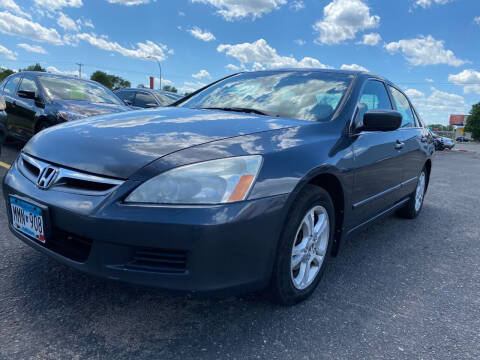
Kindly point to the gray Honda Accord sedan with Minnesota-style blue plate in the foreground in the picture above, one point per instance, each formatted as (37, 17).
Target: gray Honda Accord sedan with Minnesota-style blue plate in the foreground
(251, 182)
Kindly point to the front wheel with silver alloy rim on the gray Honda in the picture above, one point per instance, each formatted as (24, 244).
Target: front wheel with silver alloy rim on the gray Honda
(288, 286)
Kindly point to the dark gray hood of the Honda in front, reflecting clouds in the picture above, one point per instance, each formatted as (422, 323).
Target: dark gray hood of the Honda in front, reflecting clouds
(118, 145)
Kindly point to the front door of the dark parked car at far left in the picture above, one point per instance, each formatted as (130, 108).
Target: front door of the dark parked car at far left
(26, 108)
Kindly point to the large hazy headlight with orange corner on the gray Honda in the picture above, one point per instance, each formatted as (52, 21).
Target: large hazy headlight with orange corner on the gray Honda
(211, 182)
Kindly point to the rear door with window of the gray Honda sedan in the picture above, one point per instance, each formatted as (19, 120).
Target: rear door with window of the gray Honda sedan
(413, 139)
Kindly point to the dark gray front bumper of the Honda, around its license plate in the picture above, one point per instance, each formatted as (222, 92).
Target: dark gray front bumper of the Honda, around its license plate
(220, 249)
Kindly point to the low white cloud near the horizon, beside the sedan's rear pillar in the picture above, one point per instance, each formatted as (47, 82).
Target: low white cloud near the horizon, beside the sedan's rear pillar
(437, 107)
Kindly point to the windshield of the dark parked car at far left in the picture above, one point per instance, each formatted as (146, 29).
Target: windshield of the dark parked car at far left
(58, 88)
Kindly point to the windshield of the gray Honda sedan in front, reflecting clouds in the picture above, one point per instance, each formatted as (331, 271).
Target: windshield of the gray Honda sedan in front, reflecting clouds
(306, 95)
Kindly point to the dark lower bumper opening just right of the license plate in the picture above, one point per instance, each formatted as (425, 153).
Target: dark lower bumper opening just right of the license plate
(69, 245)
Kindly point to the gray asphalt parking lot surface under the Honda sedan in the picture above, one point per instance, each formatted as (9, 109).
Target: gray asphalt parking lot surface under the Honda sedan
(400, 289)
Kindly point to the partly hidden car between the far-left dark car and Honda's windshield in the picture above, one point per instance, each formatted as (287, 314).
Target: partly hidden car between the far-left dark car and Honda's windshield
(147, 98)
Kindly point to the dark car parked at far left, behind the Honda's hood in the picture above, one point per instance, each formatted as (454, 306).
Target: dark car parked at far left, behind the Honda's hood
(37, 100)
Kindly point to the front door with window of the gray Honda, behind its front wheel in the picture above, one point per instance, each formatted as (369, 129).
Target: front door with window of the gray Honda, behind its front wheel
(377, 158)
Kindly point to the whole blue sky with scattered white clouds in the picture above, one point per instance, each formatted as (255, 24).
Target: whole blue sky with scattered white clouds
(431, 48)
